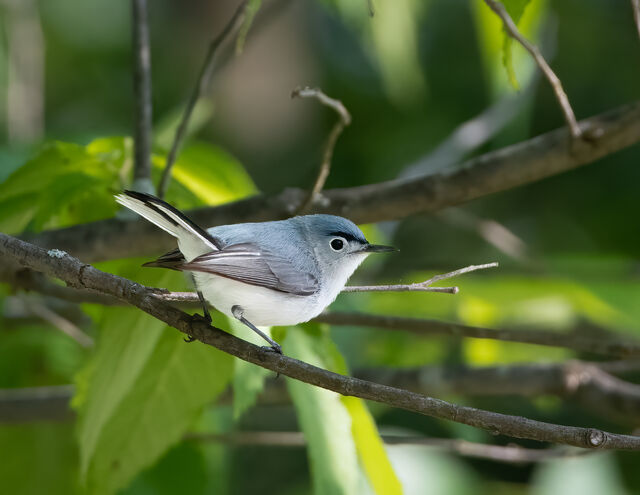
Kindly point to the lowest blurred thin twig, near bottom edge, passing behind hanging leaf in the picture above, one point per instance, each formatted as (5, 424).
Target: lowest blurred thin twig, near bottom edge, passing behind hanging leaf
(499, 453)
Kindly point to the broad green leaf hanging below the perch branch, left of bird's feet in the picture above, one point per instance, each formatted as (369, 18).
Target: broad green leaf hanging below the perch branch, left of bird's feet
(144, 391)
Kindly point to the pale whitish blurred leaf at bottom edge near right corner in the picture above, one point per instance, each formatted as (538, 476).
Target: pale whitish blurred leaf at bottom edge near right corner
(592, 474)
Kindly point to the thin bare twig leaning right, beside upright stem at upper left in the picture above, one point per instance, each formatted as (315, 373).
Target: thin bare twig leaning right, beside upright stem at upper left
(201, 86)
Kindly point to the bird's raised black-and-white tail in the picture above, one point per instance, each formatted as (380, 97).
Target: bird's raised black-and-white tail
(191, 238)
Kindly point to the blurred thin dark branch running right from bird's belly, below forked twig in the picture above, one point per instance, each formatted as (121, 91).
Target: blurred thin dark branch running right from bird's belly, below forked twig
(571, 340)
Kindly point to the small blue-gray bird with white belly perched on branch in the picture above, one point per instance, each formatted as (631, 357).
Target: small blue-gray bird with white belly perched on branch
(270, 273)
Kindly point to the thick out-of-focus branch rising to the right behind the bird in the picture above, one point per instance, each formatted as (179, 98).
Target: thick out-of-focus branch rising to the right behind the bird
(519, 164)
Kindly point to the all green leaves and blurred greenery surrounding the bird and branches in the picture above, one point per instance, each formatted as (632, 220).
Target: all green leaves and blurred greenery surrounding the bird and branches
(410, 75)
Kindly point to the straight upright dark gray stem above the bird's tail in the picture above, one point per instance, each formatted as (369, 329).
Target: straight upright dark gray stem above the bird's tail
(142, 94)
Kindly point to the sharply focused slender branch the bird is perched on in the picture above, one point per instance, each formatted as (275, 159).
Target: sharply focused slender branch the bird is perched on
(81, 275)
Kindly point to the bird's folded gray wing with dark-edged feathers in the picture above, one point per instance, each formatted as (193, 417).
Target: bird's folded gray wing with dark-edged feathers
(249, 264)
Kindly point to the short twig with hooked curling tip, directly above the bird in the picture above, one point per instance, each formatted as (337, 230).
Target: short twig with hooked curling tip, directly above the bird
(343, 121)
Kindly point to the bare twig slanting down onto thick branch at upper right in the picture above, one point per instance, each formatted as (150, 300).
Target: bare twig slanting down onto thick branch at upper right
(556, 85)
